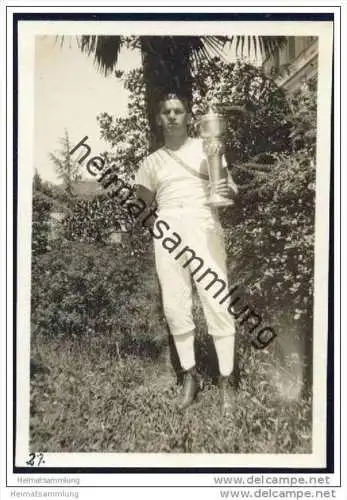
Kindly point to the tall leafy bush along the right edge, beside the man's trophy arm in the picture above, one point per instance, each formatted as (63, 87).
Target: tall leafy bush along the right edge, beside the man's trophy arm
(270, 236)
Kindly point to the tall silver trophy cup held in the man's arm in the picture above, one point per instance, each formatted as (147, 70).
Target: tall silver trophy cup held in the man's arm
(212, 129)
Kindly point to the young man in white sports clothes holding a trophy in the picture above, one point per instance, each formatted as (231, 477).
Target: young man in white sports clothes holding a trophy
(176, 177)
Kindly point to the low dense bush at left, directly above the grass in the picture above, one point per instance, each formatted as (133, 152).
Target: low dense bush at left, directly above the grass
(85, 291)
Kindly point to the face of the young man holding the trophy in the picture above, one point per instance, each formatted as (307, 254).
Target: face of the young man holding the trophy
(173, 117)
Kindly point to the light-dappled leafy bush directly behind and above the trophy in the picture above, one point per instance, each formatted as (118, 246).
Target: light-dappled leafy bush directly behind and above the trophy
(264, 126)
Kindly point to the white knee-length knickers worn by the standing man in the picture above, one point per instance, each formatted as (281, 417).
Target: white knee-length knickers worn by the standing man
(176, 268)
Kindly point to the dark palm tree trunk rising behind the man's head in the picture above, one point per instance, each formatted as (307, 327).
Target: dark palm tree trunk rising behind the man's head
(166, 67)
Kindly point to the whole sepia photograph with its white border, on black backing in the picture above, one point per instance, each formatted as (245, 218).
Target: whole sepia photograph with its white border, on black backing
(178, 233)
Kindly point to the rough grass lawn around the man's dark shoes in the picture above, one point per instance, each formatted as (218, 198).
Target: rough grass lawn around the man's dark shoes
(86, 398)
